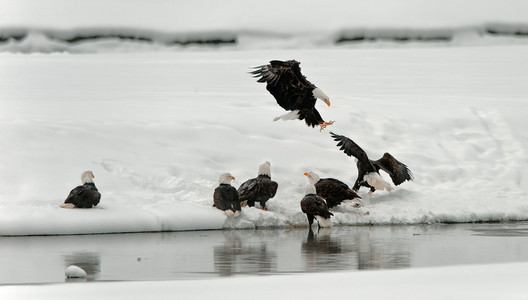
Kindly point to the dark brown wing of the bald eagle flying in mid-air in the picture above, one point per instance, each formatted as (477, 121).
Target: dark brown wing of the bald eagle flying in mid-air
(287, 84)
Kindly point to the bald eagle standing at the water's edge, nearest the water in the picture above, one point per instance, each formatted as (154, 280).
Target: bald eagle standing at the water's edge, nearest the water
(315, 207)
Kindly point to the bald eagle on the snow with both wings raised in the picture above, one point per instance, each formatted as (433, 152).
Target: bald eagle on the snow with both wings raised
(368, 170)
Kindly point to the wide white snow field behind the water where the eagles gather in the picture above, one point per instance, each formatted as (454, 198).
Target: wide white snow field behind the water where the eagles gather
(158, 129)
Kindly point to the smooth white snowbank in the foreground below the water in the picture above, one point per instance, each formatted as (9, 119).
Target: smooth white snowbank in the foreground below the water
(499, 281)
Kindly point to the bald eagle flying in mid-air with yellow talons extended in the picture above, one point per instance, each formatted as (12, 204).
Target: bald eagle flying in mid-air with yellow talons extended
(292, 91)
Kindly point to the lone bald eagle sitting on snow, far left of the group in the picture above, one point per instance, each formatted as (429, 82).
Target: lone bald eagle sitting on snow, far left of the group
(83, 196)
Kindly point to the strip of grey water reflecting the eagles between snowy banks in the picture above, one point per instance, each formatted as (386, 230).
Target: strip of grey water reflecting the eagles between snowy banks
(184, 255)
